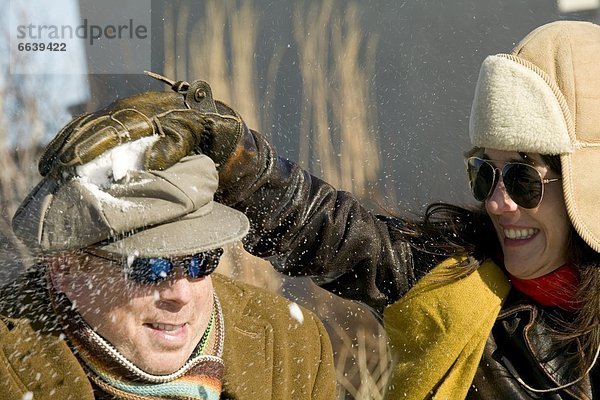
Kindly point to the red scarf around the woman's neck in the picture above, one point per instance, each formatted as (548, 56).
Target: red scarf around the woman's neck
(558, 288)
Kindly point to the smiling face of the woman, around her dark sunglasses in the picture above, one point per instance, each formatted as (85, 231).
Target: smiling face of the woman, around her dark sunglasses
(534, 241)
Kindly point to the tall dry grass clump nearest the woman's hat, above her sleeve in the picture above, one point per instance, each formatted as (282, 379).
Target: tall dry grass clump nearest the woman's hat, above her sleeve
(336, 61)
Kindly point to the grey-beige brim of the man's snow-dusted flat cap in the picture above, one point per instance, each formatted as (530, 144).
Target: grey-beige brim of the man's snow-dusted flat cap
(189, 235)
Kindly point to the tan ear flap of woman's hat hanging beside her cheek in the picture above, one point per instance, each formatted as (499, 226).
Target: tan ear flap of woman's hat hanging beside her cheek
(581, 185)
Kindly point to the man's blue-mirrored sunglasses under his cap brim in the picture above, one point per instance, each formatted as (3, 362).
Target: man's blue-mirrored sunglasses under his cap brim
(149, 270)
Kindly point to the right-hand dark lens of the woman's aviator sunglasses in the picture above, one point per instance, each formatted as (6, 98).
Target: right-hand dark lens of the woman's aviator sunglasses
(523, 184)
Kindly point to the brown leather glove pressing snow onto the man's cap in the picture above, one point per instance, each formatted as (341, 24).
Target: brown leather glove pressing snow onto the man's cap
(186, 121)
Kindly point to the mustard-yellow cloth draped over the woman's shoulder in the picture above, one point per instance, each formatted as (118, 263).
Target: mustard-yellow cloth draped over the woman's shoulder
(437, 332)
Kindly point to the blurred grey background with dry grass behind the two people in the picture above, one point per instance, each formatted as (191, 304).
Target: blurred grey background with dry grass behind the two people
(373, 96)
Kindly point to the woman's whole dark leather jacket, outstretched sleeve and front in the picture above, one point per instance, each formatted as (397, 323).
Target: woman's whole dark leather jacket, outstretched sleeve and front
(307, 228)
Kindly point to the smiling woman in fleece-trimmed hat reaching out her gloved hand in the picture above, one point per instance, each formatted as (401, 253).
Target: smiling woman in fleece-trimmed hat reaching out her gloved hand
(441, 281)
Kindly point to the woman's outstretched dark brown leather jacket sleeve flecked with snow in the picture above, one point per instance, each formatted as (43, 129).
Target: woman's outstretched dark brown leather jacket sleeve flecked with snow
(307, 228)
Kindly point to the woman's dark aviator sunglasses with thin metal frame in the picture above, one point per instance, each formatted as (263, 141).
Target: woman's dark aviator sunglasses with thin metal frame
(524, 184)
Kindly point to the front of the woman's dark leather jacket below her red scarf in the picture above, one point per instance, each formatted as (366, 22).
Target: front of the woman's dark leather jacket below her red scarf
(518, 348)
